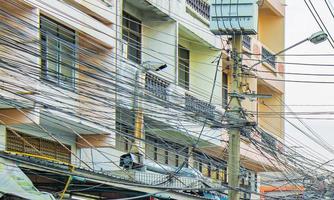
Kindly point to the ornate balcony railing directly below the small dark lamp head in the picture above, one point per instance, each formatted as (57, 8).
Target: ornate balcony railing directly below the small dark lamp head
(157, 86)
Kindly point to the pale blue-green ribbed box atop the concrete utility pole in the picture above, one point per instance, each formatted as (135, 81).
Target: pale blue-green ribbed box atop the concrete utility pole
(228, 17)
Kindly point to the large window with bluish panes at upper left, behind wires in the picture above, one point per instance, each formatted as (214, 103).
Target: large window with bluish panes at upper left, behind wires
(58, 52)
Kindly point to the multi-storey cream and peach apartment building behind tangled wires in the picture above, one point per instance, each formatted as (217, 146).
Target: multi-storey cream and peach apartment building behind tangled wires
(74, 78)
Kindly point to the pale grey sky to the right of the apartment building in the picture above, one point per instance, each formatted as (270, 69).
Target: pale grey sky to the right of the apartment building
(300, 25)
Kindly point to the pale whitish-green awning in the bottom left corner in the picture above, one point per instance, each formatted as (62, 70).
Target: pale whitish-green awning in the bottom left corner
(14, 182)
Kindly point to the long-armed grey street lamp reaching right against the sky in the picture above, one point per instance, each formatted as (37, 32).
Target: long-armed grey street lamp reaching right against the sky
(315, 38)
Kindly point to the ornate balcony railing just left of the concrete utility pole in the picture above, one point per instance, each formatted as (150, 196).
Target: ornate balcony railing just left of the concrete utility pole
(199, 107)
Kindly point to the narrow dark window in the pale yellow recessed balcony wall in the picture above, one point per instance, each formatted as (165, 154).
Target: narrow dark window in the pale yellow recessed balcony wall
(183, 71)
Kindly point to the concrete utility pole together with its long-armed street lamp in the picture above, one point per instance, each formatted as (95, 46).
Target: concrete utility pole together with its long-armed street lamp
(234, 110)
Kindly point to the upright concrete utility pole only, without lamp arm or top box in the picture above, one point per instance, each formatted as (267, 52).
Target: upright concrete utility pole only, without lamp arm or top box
(234, 113)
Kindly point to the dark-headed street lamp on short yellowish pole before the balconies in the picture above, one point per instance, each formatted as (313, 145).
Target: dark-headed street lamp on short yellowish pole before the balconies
(133, 159)
